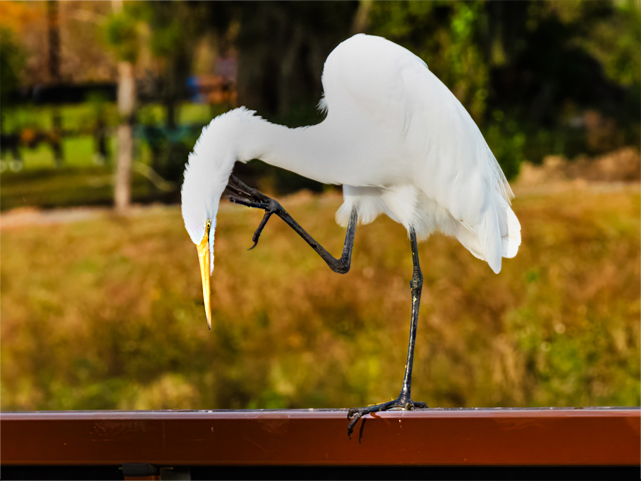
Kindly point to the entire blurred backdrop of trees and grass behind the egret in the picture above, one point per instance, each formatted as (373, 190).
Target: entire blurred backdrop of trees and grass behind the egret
(103, 309)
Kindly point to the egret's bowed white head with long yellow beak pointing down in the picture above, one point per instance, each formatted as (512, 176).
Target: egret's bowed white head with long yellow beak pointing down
(206, 176)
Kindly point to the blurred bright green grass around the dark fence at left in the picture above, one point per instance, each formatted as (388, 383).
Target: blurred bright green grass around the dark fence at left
(80, 181)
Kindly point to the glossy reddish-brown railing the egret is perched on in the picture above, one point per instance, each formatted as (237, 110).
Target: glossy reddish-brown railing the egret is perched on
(597, 437)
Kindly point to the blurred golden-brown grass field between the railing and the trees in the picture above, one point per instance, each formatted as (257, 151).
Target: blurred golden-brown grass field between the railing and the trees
(107, 313)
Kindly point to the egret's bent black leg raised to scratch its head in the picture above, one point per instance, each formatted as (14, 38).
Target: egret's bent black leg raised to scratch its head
(245, 195)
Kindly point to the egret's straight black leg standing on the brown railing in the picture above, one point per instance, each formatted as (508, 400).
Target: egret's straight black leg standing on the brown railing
(404, 400)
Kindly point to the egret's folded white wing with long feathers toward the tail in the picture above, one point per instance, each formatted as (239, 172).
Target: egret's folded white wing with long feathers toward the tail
(459, 170)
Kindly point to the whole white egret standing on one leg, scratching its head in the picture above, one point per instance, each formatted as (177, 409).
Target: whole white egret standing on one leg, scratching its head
(398, 141)
